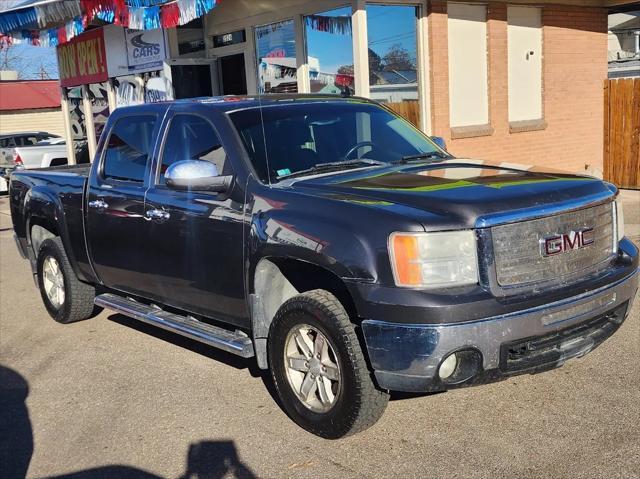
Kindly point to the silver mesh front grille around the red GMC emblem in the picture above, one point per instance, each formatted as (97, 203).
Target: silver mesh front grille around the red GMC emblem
(519, 258)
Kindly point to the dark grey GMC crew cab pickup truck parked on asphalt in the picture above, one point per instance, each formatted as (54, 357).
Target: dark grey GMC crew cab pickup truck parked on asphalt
(332, 241)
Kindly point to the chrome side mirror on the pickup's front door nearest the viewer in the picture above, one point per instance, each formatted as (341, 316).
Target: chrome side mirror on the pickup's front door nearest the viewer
(197, 175)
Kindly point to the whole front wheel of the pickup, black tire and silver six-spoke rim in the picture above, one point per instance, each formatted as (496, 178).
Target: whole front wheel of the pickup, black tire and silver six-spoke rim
(319, 370)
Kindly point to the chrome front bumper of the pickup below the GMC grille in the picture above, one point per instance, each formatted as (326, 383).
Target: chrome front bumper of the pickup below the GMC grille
(406, 357)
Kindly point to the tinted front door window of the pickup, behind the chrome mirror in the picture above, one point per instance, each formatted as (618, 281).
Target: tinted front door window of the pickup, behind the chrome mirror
(192, 137)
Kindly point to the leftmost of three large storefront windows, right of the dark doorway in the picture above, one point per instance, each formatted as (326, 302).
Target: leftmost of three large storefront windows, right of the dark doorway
(276, 52)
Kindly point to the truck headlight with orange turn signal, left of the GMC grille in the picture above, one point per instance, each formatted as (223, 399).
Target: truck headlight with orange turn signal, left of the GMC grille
(433, 260)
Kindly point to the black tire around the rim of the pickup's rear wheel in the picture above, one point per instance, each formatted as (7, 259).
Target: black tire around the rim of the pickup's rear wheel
(79, 296)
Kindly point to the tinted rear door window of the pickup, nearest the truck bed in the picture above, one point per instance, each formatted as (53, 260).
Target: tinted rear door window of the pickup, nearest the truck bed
(128, 149)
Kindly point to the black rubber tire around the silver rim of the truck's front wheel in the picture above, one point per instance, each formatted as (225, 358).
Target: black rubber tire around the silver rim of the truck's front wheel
(359, 404)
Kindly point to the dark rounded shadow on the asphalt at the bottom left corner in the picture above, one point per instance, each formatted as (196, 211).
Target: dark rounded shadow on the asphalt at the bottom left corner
(16, 435)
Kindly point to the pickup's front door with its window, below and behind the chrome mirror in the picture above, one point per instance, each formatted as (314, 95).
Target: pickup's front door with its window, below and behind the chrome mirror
(195, 240)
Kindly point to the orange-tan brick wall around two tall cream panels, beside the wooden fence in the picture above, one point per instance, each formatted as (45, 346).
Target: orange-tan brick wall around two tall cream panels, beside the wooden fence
(574, 67)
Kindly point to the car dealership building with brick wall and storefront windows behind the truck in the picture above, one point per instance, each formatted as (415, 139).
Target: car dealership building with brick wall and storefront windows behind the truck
(513, 82)
